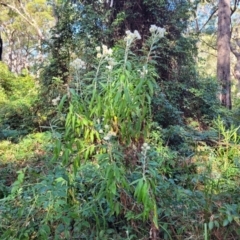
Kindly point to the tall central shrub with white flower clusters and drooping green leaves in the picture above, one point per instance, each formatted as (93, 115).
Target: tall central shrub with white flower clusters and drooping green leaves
(108, 123)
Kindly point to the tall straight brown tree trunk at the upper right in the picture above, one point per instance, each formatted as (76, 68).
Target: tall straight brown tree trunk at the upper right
(223, 56)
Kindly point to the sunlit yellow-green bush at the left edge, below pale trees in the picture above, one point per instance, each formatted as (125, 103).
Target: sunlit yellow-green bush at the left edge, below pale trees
(17, 97)
